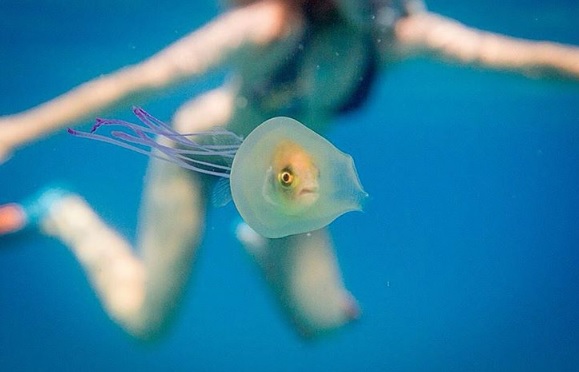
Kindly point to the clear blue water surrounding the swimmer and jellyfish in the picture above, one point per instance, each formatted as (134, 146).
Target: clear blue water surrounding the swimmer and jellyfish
(467, 257)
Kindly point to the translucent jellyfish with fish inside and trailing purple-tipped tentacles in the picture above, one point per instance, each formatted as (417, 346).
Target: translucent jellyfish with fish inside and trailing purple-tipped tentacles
(284, 178)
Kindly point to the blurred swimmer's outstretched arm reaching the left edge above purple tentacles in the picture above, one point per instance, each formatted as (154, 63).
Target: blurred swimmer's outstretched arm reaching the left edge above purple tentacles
(213, 45)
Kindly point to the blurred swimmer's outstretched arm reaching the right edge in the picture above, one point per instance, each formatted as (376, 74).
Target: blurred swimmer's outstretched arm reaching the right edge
(431, 34)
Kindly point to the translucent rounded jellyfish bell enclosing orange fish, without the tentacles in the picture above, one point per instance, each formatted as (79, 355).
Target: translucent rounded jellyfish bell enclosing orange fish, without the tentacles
(286, 180)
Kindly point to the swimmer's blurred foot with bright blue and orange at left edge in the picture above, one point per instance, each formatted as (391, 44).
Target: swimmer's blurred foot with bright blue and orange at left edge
(30, 213)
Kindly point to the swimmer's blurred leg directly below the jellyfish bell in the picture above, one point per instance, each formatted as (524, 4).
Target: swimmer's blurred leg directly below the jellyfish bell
(303, 273)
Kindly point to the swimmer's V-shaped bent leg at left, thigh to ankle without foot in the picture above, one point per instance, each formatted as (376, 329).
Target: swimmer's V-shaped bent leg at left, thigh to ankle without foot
(139, 292)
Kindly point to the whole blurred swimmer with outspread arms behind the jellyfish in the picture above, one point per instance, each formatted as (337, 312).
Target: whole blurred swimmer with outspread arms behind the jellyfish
(308, 59)
